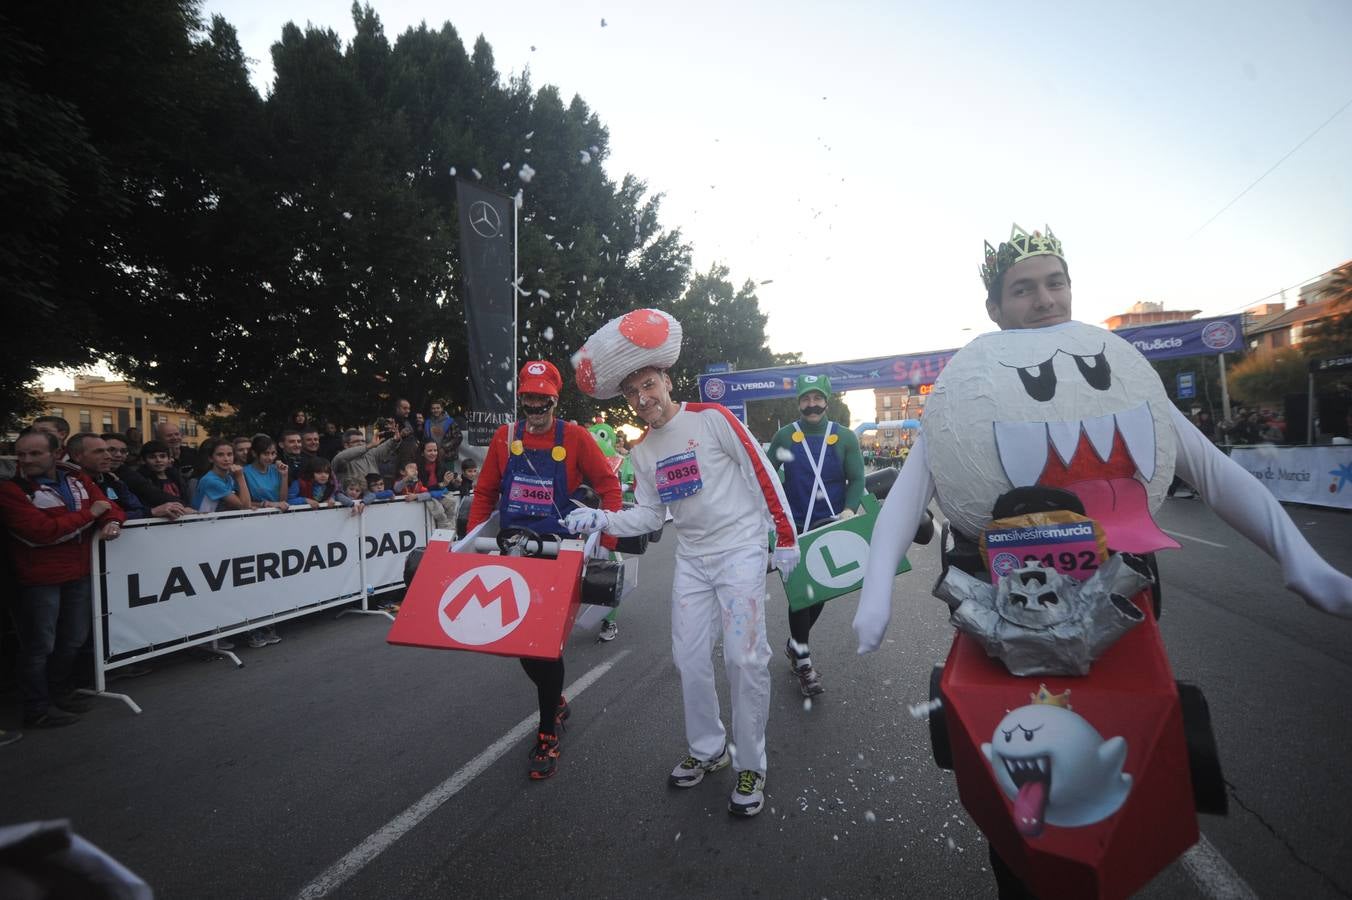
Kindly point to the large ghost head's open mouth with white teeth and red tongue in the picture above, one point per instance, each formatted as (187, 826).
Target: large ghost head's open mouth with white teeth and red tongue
(1097, 460)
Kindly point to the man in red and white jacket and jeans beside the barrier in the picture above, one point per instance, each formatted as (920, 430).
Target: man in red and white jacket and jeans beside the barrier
(52, 513)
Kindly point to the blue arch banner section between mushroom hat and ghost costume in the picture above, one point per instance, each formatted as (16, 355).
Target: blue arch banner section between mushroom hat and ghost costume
(858, 375)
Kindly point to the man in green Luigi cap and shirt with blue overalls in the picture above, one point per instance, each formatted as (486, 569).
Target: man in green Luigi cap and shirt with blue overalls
(824, 480)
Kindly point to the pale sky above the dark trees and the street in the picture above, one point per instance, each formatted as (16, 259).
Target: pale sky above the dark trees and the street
(858, 155)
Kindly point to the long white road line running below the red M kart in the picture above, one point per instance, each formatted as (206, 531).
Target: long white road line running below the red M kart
(358, 859)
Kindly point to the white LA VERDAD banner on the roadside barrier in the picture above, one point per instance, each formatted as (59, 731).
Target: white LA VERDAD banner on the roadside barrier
(189, 582)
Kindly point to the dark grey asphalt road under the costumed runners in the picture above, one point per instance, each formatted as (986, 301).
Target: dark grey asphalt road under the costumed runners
(259, 782)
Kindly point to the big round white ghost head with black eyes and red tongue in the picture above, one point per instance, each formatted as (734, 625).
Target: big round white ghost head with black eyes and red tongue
(1071, 407)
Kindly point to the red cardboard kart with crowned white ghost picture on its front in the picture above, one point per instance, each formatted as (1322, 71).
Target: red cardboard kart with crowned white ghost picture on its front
(1086, 787)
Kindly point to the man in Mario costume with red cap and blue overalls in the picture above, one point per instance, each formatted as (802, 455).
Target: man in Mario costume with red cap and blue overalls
(529, 476)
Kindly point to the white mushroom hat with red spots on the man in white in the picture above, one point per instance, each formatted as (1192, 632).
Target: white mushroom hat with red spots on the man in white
(620, 348)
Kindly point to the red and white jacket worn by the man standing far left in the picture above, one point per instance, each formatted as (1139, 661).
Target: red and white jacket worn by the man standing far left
(49, 543)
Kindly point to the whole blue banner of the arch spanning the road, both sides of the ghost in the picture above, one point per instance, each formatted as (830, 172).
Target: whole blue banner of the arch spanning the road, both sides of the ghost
(1167, 341)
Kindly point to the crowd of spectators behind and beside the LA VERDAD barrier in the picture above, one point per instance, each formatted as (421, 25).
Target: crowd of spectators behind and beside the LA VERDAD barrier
(70, 489)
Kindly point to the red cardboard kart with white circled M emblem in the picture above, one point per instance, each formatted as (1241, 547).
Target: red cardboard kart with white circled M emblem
(510, 593)
